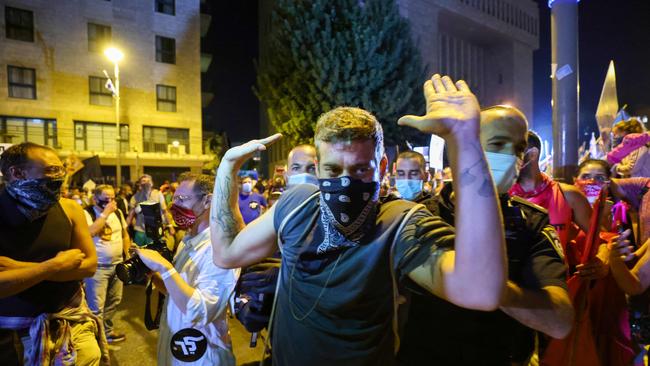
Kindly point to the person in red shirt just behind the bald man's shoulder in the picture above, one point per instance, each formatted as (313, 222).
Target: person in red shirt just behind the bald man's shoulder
(565, 203)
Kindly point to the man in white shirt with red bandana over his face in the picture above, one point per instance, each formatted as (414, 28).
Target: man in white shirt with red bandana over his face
(198, 291)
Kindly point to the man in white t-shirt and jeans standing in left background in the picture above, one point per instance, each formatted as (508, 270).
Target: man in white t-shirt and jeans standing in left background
(111, 237)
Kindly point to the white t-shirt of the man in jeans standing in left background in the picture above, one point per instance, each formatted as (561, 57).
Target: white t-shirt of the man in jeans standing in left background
(108, 241)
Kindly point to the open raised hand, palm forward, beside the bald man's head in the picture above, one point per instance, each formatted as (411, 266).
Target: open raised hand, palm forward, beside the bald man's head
(452, 109)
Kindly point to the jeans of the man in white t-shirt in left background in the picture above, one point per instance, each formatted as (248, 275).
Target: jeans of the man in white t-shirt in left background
(103, 294)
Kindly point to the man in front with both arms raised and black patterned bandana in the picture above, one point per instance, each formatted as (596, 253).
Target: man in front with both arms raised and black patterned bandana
(335, 300)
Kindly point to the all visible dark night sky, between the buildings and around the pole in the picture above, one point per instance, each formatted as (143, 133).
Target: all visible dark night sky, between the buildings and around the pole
(618, 30)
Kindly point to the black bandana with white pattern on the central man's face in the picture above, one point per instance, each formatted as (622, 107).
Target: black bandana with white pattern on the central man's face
(348, 205)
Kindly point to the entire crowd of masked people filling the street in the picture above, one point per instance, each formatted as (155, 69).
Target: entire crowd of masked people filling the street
(491, 262)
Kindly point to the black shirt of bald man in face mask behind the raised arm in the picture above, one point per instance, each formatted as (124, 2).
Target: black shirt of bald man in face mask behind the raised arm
(440, 333)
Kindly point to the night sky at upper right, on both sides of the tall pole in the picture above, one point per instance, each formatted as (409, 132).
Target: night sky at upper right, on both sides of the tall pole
(608, 30)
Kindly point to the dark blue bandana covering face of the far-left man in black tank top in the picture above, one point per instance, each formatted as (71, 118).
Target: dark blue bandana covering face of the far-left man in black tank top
(35, 196)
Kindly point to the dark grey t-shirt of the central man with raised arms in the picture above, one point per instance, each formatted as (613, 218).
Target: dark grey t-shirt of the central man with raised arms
(337, 308)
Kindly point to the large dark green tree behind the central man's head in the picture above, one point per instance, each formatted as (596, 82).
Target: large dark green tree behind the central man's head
(328, 53)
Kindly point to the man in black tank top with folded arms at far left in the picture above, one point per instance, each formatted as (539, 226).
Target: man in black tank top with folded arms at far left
(45, 252)
